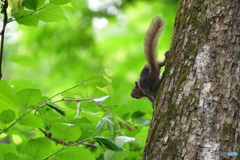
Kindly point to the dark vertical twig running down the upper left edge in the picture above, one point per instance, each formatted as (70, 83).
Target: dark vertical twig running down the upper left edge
(5, 19)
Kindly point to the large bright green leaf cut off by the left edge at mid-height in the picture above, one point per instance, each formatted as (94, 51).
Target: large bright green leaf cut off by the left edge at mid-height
(8, 98)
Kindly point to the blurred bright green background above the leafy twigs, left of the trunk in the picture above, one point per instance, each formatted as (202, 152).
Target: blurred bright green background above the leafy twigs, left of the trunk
(51, 56)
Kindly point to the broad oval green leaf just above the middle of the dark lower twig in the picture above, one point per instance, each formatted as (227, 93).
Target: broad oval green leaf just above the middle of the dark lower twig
(66, 132)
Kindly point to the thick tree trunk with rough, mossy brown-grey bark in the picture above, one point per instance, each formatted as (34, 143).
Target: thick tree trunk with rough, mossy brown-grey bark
(197, 110)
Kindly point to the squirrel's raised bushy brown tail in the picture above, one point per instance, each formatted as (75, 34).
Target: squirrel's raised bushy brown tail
(151, 41)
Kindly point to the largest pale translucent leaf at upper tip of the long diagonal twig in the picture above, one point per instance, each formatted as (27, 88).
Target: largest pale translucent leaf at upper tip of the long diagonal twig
(94, 79)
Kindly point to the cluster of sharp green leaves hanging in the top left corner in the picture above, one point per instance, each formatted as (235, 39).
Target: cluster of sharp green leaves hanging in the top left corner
(30, 12)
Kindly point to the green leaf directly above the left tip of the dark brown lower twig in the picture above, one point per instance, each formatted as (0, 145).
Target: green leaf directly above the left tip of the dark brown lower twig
(32, 121)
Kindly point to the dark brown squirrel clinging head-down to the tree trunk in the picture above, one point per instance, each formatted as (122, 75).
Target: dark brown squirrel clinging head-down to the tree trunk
(149, 81)
